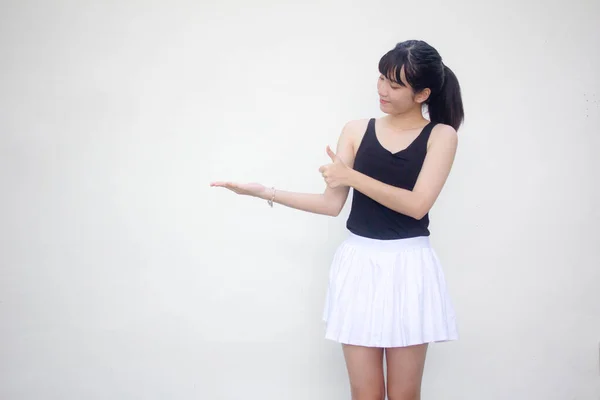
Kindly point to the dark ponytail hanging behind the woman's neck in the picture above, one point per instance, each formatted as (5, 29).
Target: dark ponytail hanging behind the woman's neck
(446, 106)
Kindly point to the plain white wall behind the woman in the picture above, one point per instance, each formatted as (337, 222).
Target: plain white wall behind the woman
(123, 275)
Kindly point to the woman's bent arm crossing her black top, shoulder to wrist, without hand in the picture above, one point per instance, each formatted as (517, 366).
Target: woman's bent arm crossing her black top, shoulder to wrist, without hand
(433, 175)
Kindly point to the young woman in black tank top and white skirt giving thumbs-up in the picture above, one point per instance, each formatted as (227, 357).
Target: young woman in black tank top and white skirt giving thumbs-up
(387, 292)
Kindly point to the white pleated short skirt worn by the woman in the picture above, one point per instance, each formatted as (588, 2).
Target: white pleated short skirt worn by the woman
(388, 293)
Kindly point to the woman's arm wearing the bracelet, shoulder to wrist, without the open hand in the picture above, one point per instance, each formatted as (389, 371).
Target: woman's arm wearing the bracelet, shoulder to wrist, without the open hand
(331, 201)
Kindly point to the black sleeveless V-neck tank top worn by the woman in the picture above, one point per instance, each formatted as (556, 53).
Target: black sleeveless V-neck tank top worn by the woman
(371, 219)
